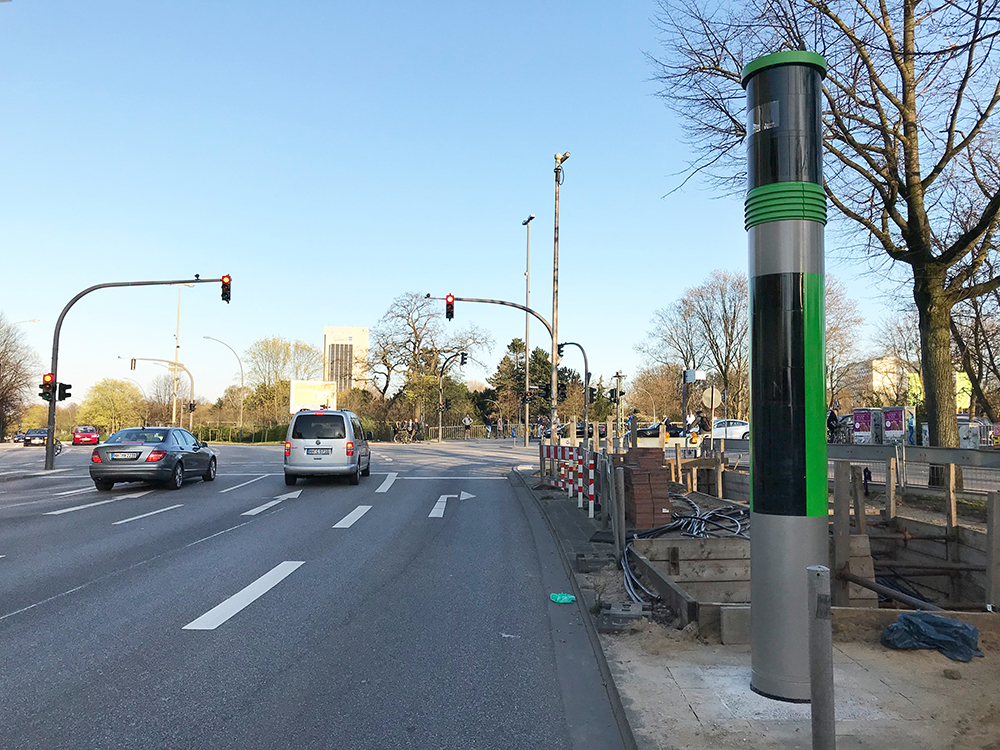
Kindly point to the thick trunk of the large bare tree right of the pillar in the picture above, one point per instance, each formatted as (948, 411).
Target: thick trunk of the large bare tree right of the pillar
(934, 308)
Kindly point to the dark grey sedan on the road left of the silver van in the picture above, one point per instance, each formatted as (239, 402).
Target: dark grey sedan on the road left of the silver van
(151, 454)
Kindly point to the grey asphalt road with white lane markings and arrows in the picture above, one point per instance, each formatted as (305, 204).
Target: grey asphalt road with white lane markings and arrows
(411, 611)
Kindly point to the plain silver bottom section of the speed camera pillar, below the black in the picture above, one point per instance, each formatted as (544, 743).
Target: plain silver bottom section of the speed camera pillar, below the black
(782, 547)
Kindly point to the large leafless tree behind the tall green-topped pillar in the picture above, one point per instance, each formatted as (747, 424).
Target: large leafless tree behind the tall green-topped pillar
(910, 103)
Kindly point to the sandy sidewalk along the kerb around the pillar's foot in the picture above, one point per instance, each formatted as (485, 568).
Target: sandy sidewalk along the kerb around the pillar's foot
(681, 691)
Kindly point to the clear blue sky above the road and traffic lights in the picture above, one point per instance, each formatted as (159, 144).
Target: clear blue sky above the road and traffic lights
(331, 156)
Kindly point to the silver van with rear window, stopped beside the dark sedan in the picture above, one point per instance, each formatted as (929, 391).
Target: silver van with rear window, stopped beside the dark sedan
(324, 443)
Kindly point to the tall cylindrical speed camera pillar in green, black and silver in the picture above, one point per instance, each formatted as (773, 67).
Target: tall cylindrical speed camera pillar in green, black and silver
(785, 218)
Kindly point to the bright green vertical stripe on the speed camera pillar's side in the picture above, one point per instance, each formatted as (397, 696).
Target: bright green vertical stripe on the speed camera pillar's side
(814, 319)
